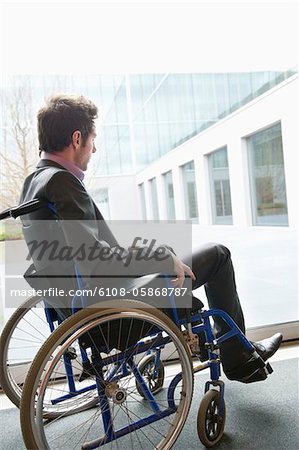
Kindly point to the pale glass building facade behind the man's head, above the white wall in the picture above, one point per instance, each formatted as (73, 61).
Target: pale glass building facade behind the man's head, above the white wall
(144, 116)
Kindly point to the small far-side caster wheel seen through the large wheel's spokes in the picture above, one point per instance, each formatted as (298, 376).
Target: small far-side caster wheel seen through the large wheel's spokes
(153, 380)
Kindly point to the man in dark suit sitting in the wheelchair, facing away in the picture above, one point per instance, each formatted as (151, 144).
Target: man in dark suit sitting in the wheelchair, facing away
(66, 130)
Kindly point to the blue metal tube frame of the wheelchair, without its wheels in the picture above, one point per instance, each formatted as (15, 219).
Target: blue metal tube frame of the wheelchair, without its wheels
(126, 357)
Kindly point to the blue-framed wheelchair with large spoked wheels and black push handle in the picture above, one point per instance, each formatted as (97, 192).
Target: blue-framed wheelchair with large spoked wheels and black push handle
(121, 373)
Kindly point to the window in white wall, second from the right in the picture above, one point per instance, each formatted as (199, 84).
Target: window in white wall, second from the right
(220, 187)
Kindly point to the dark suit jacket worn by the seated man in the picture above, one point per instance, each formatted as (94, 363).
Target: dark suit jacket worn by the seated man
(81, 223)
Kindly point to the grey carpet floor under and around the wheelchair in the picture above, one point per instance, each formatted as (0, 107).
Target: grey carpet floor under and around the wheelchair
(260, 415)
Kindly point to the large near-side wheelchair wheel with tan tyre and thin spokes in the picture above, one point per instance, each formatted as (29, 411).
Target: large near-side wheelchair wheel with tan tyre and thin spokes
(117, 335)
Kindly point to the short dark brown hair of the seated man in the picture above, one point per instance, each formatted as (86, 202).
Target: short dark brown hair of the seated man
(60, 117)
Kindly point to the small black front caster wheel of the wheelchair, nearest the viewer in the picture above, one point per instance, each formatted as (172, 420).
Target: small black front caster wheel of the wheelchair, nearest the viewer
(210, 425)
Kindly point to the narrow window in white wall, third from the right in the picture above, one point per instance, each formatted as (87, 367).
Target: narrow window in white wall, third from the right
(190, 196)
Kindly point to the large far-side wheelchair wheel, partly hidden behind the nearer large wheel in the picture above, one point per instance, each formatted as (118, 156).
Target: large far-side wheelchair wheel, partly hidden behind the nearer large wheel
(23, 335)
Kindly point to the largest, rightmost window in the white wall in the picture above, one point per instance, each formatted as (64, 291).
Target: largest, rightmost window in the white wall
(267, 178)
